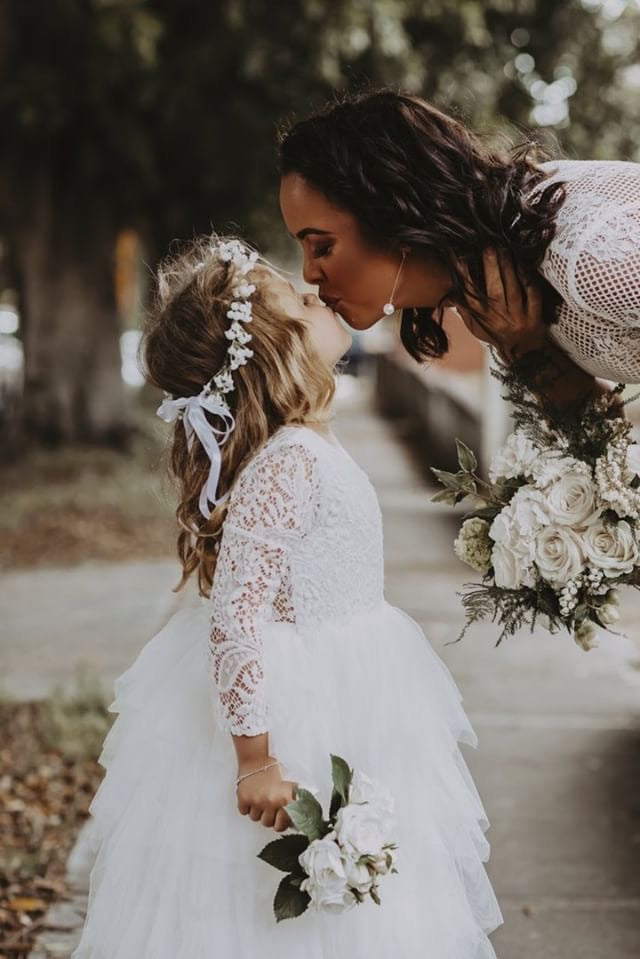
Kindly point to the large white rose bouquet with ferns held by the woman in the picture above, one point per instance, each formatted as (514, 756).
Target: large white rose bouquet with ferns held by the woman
(556, 530)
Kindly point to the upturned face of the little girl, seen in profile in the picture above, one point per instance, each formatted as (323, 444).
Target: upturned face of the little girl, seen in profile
(330, 338)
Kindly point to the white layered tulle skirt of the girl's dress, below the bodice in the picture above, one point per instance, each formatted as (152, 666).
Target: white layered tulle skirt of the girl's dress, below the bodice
(176, 873)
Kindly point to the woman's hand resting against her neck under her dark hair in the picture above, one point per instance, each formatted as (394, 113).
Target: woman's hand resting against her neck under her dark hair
(513, 321)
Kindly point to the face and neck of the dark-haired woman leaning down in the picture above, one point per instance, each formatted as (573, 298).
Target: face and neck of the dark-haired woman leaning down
(353, 277)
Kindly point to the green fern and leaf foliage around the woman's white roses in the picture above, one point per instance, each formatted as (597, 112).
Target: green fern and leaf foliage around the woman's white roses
(594, 433)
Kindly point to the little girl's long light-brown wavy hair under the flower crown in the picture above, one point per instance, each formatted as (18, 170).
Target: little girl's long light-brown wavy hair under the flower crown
(183, 345)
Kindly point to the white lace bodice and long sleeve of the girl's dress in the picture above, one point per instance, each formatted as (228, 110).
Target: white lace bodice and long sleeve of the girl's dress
(301, 544)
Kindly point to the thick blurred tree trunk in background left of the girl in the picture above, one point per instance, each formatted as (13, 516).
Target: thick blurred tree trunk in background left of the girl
(73, 388)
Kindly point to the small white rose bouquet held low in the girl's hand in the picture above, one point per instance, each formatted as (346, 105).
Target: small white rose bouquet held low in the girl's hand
(335, 863)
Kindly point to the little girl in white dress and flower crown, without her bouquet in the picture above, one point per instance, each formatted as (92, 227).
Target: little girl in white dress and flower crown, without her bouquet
(293, 654)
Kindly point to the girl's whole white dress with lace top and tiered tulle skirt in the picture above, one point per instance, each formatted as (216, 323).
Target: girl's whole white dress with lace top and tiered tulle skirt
(297, 640)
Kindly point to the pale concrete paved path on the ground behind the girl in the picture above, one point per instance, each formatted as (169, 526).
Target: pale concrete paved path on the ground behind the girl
(559, 759)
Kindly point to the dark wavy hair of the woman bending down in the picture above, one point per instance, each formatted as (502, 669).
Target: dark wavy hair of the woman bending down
(414, 176)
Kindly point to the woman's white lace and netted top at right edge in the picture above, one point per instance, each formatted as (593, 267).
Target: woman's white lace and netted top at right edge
(594, 263)
